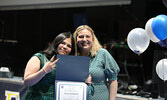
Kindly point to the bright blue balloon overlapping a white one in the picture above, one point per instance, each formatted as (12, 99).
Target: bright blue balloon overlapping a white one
(159, 27)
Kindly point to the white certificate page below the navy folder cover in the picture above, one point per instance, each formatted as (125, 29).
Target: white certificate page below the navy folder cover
(65, 90)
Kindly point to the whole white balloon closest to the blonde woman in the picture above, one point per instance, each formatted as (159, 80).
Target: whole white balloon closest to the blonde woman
(137, 40)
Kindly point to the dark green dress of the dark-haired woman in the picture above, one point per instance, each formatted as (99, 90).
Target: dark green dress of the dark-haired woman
(44, 89)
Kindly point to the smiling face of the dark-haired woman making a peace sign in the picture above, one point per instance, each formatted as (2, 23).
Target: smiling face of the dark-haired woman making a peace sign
(64, 48)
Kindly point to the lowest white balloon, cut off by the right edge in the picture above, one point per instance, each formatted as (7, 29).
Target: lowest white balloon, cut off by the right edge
(161, 69)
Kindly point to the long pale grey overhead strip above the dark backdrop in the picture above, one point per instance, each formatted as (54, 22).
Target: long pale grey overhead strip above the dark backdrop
(40, 4)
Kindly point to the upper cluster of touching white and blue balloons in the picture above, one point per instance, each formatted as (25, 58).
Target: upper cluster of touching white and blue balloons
(155, 30)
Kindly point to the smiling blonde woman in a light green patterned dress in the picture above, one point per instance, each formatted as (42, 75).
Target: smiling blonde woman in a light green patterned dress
(102, 67)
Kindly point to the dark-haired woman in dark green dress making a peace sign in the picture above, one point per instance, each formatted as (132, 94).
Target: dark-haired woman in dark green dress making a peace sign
(40, 70)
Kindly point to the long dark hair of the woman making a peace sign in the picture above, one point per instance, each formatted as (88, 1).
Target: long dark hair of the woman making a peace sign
(52, 49)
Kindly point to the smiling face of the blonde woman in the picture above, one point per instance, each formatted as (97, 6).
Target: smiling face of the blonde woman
(84, 40)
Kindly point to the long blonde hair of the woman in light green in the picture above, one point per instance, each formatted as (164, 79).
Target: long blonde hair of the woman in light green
(96, 45)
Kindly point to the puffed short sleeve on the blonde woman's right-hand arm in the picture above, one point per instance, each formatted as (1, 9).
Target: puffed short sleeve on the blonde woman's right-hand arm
(110, 65)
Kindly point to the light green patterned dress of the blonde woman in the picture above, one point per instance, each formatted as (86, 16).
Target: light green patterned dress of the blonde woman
(102, 67)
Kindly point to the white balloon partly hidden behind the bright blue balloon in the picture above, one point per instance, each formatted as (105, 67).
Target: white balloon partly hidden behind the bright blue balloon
(149, 32)
